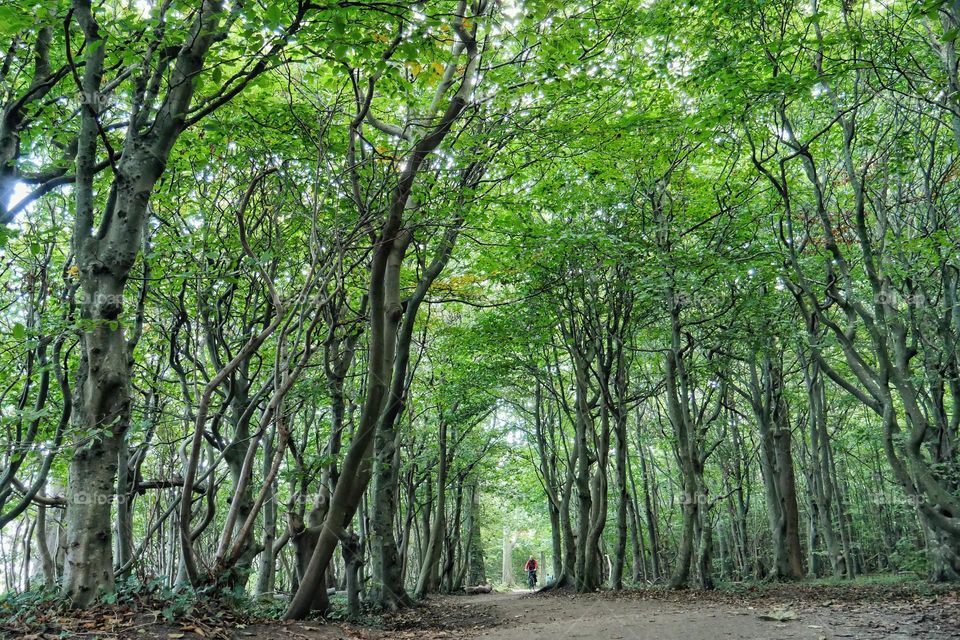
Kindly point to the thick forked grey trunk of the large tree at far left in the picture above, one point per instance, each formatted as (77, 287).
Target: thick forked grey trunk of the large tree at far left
(104, 259)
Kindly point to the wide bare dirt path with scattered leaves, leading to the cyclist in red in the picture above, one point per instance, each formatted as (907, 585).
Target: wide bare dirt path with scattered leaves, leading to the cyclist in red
(668, 616)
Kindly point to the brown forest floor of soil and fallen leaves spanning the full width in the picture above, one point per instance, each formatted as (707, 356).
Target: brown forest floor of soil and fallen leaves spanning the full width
(779, 613)
